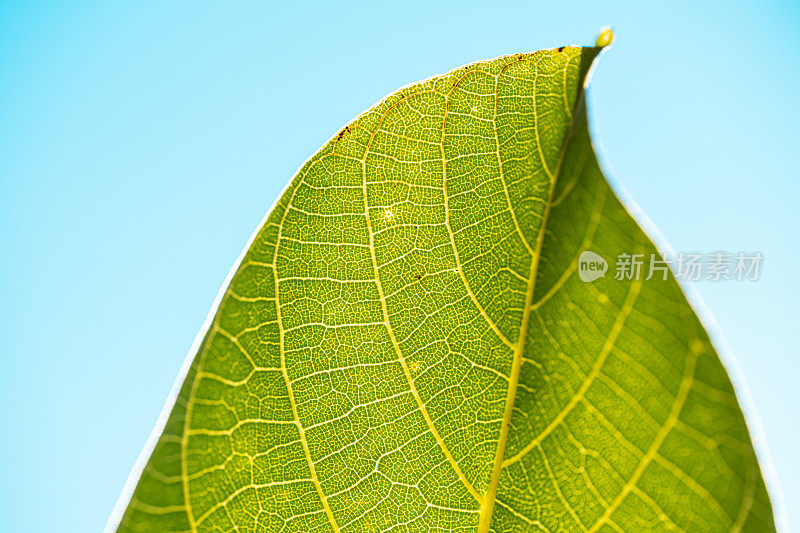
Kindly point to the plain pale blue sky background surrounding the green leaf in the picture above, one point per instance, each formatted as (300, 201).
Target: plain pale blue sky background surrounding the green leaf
(140, 145)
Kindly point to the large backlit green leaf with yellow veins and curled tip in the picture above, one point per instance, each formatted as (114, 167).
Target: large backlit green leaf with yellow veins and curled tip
(407, 345)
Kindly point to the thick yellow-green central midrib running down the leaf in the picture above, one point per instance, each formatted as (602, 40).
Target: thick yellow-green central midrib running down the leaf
(487, 506)
